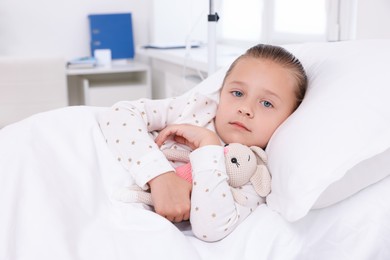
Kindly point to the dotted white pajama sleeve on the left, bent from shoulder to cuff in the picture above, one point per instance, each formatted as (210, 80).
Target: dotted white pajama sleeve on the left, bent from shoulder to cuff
(128, 128)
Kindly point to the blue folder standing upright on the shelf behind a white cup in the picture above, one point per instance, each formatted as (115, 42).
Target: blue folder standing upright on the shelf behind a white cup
(114, 32)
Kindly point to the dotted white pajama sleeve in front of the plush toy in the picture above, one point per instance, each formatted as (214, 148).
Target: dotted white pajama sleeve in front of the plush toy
(214, 212)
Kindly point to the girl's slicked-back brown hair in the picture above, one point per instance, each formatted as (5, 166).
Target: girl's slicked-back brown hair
(282, 57)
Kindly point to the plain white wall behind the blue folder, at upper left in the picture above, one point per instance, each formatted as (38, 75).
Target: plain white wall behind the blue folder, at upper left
(60, 27)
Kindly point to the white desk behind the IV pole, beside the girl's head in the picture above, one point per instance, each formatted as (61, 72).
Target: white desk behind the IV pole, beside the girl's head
(176, 70)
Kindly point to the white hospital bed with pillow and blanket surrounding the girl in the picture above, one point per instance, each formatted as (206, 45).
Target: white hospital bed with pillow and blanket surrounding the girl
(329, 163)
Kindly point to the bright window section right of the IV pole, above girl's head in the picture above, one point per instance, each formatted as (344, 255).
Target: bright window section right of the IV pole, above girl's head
(274, 21)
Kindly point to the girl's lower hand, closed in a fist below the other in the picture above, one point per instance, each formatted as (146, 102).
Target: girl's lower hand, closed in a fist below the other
(171, 196)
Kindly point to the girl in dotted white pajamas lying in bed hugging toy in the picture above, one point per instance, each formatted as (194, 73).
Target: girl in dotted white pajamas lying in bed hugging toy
(260, 90)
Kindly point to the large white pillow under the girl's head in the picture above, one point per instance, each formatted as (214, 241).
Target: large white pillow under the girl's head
(338, 140)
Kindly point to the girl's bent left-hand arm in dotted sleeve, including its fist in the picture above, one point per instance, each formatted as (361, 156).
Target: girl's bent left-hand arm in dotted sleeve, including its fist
(129, 128)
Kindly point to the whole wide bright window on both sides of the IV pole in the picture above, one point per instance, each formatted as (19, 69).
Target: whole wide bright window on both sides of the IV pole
(246, 22)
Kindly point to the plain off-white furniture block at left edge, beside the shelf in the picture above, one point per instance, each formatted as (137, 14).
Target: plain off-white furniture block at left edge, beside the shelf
(30, 85)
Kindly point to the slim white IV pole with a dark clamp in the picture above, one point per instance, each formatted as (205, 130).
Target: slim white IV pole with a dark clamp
(212, 41)
